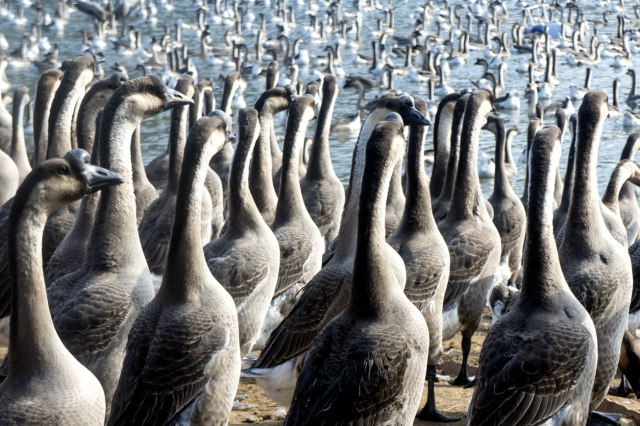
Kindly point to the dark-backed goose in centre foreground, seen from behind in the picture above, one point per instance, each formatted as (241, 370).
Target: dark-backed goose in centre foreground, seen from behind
(375, 308)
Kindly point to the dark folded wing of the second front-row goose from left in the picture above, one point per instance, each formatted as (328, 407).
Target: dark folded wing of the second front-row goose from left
(163, 370)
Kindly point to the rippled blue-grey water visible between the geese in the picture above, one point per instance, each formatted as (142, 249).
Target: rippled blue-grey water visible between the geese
(155, 130)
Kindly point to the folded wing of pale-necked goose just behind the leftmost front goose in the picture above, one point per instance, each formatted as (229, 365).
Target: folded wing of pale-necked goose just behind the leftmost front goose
(87, 320)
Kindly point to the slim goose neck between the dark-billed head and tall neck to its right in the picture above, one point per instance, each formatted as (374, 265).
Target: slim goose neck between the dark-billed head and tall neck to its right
(441, 145)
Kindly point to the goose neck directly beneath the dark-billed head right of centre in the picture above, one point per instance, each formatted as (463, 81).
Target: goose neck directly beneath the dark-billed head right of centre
(417, 215)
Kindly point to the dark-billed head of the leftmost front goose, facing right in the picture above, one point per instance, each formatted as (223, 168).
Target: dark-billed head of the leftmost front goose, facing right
(64, 180)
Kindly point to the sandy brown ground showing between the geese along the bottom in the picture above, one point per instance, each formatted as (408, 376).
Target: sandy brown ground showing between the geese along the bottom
(451, 400)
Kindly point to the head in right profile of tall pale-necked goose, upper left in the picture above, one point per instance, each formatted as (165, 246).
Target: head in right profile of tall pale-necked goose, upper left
(148, 96)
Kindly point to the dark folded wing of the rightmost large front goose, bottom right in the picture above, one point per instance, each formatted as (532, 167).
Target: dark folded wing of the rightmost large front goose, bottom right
(527, 373)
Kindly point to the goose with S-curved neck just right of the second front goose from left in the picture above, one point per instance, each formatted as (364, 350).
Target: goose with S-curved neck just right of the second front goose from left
(245, 259)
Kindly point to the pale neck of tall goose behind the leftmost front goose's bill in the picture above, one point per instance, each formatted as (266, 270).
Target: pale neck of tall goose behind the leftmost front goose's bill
(114, 238)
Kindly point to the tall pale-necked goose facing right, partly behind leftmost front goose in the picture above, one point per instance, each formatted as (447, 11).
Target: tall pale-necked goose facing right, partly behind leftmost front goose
(114, 277)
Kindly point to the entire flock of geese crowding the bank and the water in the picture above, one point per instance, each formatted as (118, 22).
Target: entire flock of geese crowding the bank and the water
(136, 295)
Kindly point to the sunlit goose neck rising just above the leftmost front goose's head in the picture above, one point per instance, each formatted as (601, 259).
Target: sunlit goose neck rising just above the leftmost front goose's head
(60, 121)
